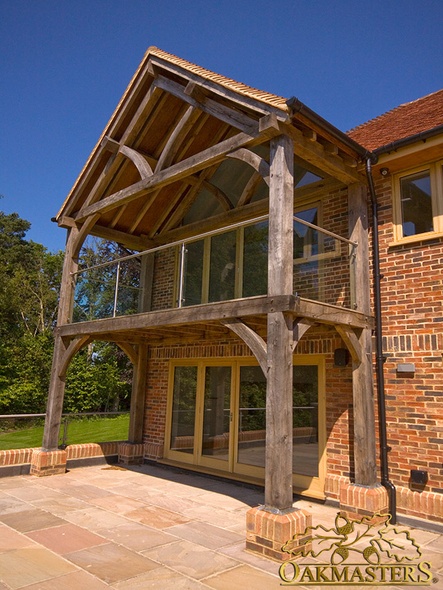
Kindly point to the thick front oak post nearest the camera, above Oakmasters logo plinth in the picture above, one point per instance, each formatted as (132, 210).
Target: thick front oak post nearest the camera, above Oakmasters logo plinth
(278, 470)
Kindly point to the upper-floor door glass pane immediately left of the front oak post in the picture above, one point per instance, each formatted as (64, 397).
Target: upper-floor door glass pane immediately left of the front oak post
(255, 260)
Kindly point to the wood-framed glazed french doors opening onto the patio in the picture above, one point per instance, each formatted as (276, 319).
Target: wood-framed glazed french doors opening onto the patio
(217, 418)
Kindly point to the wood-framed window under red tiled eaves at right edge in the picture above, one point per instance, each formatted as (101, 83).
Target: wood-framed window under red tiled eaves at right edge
(418, 202)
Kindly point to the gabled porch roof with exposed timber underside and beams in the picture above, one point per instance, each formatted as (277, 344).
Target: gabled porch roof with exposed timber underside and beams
(174, 126)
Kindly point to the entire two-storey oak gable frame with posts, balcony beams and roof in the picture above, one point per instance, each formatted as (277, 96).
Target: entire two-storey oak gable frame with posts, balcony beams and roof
(174, 125)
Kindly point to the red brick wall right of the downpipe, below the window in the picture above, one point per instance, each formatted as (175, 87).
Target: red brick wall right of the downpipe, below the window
(412, 310)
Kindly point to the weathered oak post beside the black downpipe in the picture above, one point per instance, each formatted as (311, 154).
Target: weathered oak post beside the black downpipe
(362, 376)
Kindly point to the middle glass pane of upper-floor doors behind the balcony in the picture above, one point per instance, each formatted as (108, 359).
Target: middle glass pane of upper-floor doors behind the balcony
(222, 267)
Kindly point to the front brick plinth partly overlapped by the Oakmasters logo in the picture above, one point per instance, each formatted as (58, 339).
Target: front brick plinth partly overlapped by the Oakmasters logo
(267, 532)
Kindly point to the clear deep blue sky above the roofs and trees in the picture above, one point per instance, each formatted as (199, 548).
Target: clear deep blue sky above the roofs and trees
(64, 64)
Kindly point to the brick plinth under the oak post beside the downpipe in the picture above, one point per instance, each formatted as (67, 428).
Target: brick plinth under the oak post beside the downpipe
(357, 501)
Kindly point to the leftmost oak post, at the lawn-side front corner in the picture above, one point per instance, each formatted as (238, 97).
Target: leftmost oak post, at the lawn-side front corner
(56, 392)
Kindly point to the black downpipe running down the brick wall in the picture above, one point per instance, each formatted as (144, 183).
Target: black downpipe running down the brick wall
(385, 482)
